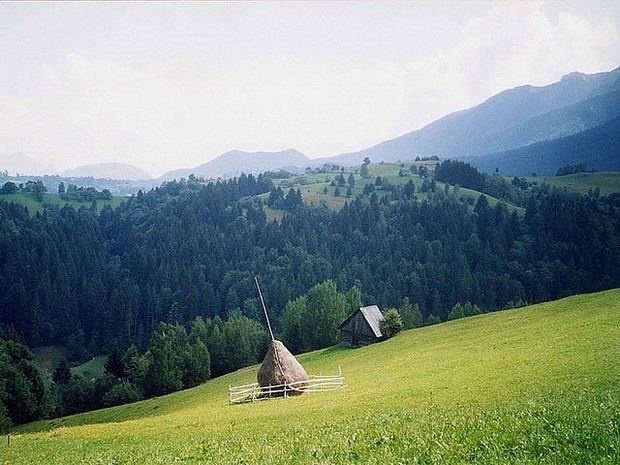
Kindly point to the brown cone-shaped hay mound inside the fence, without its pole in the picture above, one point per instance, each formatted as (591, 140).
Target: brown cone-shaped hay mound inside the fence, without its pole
(281, 367)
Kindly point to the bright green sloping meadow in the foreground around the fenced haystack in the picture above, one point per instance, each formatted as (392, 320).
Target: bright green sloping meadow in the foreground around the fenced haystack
(539, 385)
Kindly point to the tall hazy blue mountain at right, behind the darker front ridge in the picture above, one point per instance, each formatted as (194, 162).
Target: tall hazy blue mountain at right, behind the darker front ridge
(511, 119)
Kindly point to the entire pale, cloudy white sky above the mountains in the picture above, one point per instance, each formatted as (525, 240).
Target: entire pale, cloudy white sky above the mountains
(167, 85)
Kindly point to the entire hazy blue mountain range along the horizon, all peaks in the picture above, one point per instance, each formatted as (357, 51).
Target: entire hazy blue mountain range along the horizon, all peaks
(518, 131)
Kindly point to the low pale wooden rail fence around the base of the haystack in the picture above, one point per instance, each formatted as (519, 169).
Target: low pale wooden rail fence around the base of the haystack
(253, 392)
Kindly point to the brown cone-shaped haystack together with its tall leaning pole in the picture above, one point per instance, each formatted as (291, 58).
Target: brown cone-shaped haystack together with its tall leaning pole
(279, 368)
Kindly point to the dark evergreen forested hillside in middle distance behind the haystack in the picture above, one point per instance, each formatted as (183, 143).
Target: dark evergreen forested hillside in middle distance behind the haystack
(97, 281)
